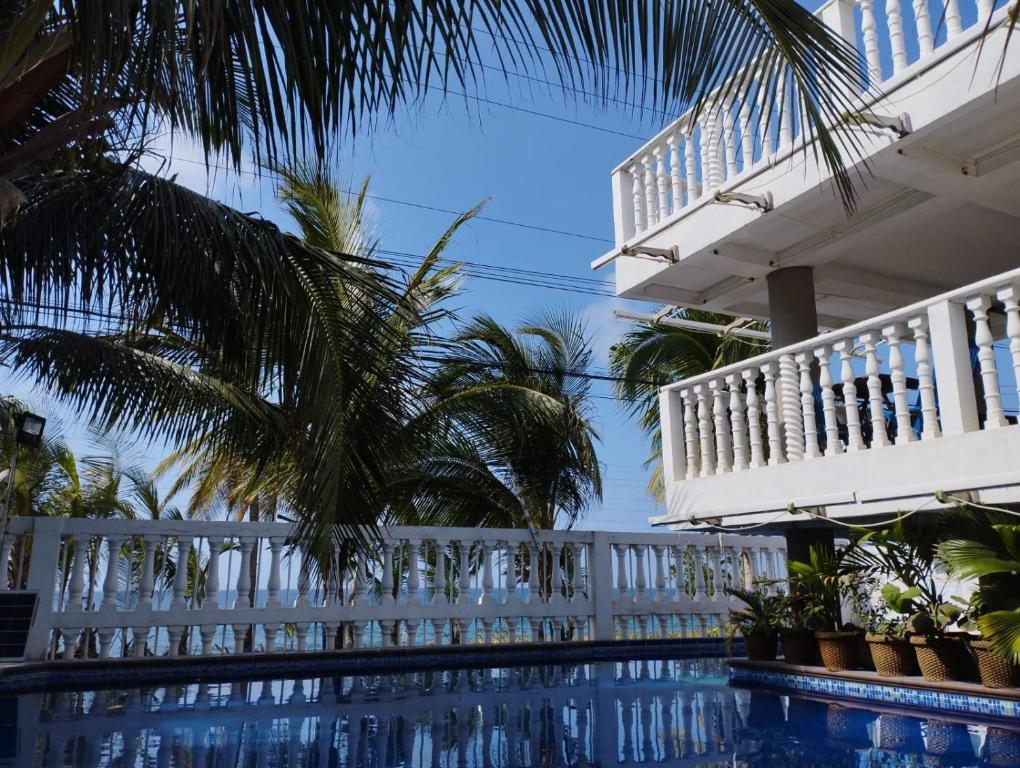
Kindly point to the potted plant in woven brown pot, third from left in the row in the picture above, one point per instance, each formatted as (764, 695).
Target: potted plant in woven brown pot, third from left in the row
(825, 583)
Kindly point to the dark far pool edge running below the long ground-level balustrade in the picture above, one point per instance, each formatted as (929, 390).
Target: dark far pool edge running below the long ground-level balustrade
(89, 674)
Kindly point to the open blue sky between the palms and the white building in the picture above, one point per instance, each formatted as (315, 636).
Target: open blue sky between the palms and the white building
(453, 153)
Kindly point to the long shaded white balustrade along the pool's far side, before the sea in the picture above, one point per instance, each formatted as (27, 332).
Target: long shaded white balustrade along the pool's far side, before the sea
(117, 588)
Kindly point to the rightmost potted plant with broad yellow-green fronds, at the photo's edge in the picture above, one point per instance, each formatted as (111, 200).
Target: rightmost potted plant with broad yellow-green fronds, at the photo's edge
(991, 553)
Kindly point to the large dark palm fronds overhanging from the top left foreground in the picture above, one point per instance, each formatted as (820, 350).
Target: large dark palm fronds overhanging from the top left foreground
(90, 242)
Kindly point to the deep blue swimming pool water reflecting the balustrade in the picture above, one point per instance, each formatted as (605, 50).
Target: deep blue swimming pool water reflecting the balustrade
(676, 713)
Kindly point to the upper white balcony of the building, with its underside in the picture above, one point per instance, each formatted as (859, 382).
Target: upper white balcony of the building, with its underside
(946, 187)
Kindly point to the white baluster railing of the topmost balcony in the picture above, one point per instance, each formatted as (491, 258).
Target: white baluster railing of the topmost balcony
(693, 158)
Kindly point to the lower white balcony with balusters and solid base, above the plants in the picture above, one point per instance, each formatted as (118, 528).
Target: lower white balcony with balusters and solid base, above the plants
(874, 419)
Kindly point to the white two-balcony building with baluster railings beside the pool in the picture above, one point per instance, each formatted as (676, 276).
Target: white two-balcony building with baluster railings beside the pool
(896, 331)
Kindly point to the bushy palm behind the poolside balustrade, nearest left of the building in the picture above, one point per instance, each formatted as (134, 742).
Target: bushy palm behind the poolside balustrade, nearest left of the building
(512, 441)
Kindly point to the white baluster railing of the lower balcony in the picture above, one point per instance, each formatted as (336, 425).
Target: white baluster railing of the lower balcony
(915, 375)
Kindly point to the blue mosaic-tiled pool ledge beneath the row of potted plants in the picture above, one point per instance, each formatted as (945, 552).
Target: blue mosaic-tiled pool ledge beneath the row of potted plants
(913, 693)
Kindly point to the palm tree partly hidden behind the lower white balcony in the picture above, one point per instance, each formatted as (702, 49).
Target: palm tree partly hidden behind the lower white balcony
(652, 355)
